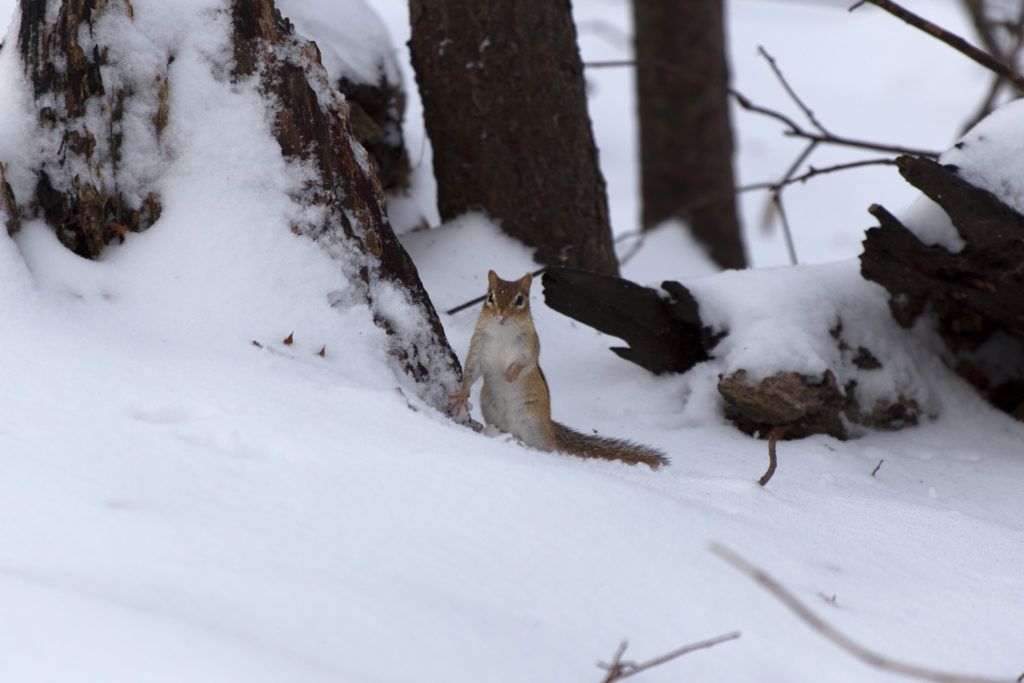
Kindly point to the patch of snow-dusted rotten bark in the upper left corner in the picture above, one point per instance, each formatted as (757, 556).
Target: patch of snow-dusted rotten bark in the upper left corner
(81, 188)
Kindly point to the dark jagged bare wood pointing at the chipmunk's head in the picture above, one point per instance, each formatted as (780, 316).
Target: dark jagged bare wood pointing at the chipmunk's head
(664, 332)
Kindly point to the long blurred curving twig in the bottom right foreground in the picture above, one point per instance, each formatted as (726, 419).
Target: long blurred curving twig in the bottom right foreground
(839, 639)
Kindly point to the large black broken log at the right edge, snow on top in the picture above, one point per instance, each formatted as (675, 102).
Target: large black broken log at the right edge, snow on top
(977, 294)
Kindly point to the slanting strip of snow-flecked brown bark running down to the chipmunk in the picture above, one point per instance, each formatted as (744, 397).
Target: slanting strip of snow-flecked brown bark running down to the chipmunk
(313, 125)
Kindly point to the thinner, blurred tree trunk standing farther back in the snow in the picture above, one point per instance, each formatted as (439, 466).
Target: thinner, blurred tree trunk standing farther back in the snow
(686, 135)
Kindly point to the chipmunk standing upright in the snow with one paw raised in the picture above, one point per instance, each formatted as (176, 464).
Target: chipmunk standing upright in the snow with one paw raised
(516, 397)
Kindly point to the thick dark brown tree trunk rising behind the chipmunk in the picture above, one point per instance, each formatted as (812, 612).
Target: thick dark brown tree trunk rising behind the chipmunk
(505, 108)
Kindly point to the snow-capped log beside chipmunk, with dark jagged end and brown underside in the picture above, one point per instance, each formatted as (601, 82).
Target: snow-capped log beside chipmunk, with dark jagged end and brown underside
(785, 365)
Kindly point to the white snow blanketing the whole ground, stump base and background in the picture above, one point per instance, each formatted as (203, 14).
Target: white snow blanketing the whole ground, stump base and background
(183, 504)
